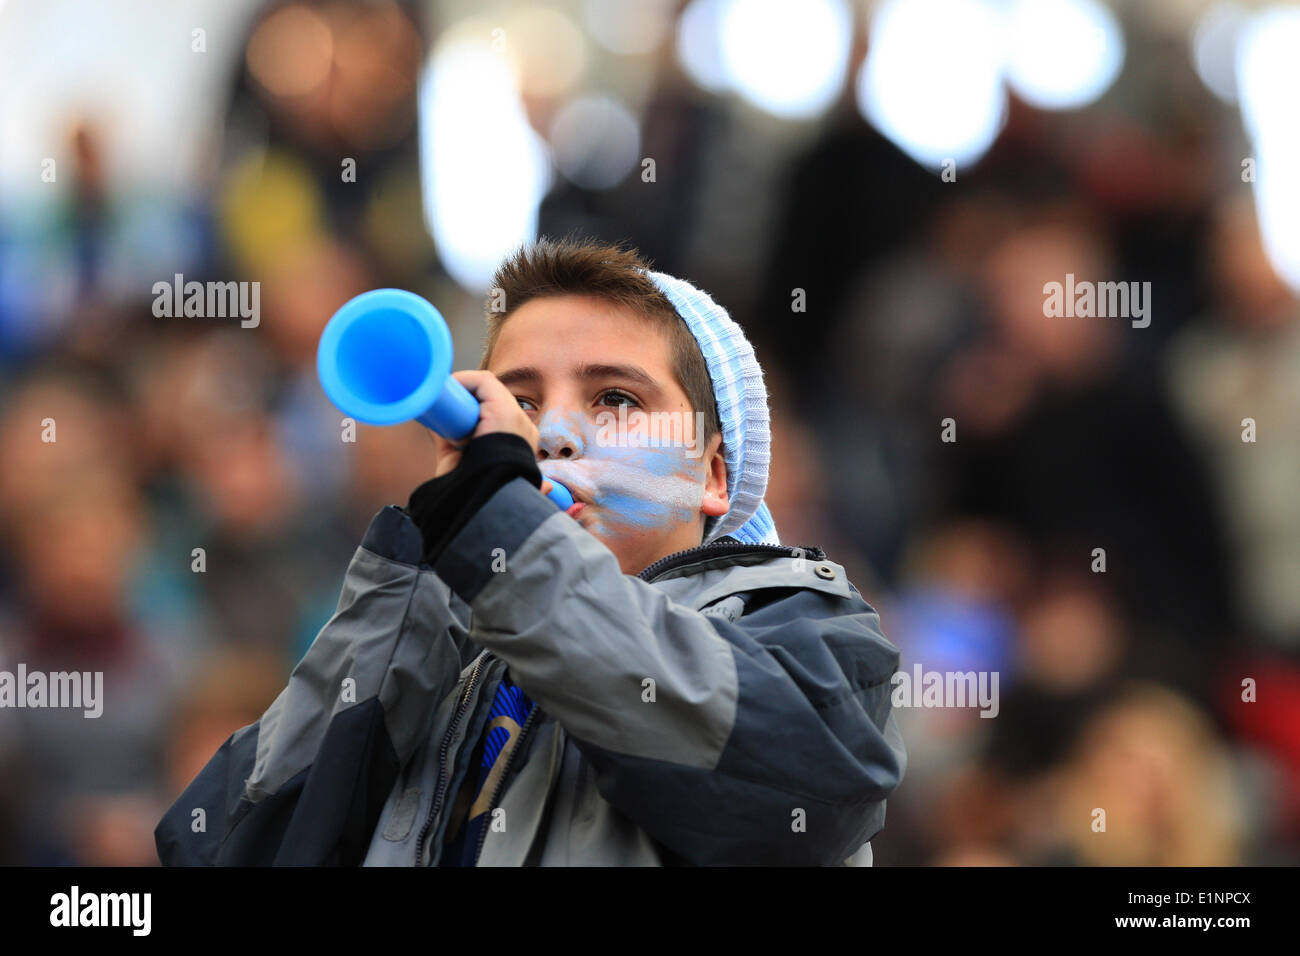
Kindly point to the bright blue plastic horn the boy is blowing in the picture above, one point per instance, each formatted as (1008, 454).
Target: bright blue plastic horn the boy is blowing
(385, 358)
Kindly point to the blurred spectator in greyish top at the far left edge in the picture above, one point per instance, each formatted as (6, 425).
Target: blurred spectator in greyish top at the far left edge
(75, 517)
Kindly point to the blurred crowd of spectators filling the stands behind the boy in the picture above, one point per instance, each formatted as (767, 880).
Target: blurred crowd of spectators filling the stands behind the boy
(188, 531)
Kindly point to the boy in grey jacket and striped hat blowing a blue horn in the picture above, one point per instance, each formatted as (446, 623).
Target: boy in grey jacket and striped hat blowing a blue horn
(649, 678)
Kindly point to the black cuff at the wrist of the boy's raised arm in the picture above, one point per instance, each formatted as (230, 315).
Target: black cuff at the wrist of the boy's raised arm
(443, 507)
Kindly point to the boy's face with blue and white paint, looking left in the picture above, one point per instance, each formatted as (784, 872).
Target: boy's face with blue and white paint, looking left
(614, 426)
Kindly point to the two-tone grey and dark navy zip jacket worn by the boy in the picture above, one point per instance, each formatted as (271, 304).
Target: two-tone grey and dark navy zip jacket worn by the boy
(729, 706)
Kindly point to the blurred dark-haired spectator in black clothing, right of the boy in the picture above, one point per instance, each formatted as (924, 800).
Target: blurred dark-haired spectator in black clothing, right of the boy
(1078, 452)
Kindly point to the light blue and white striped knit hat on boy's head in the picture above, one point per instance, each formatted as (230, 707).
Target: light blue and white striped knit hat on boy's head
(742, 410)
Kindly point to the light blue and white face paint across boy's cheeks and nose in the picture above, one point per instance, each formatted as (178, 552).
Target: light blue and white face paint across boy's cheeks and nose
(627, 490)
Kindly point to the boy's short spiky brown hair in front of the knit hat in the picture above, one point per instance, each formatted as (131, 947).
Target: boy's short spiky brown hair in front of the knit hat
(605, 271)
